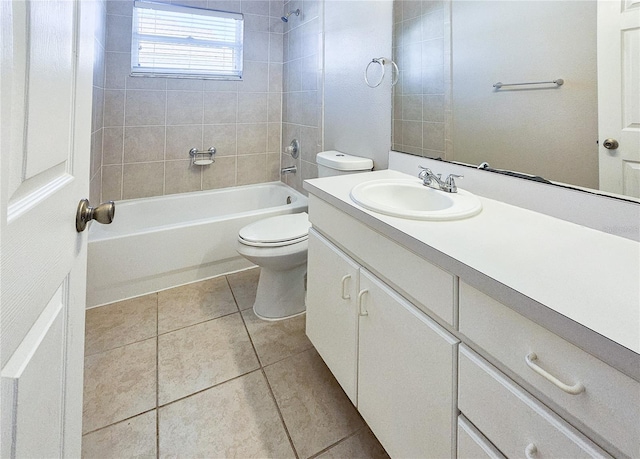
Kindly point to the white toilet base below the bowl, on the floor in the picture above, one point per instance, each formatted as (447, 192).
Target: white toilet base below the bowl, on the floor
(280, 294)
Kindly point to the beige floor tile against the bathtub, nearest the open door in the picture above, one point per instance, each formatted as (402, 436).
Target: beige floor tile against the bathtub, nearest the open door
(121, 323)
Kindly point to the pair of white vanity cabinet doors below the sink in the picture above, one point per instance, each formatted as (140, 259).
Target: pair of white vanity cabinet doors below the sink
(394, 362)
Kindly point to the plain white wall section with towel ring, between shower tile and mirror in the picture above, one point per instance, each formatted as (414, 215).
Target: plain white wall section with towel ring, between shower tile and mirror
(357, 119)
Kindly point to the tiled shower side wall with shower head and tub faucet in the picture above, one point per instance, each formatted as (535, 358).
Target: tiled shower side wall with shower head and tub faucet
(302, 92)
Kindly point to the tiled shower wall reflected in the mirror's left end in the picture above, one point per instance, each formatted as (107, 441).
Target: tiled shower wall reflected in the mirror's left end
(422, 97)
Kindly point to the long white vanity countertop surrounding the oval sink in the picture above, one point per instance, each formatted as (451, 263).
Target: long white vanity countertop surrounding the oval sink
(588, 276)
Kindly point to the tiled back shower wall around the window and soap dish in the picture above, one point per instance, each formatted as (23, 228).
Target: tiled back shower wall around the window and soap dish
(151, 123)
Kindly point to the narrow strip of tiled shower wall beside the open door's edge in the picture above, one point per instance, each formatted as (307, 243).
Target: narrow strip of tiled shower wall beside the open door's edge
(97, 124)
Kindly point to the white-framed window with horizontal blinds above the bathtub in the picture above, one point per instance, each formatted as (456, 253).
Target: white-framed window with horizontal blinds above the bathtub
(228, 50)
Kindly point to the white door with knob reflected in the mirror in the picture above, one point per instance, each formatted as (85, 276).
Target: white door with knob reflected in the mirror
(619, 95)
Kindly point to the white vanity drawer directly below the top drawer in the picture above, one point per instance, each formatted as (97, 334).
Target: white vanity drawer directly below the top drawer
(516, 423)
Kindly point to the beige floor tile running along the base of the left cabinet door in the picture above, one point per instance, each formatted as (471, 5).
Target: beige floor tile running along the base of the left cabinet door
(315, 409)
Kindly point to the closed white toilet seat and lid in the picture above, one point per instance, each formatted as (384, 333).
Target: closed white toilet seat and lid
(278, 231)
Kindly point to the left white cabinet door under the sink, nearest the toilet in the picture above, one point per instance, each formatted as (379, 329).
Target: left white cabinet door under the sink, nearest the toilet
(332, 320)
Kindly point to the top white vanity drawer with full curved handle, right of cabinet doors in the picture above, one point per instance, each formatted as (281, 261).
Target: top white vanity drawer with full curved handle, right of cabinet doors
(609, 405)
